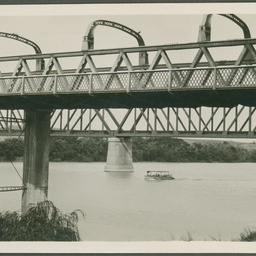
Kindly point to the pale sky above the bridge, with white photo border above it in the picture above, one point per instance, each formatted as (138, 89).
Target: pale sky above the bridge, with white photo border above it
(61, 28)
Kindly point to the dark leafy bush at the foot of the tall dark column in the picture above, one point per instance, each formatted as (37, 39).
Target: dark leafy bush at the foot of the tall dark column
(41, 222)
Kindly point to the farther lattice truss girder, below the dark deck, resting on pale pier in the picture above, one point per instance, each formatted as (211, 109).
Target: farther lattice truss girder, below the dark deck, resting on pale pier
(238, 122)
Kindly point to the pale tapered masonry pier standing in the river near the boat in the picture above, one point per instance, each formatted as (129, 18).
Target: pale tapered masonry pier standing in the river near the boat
(119, 157)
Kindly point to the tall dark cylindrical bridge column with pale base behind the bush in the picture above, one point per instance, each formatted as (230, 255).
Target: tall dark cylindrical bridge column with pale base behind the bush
(36, 157)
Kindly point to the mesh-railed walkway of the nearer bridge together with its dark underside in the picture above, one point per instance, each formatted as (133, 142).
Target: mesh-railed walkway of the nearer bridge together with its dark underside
(226, 87)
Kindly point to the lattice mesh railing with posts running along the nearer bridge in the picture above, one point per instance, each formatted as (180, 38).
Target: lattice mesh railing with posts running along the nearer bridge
(132, 81)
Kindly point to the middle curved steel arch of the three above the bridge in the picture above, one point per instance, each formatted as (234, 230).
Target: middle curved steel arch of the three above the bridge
(88, 39)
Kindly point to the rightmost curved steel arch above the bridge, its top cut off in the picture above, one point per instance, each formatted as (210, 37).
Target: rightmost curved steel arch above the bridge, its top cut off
(205, 28)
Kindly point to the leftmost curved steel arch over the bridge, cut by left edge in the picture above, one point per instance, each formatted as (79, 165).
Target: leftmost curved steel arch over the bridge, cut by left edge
(39, 63)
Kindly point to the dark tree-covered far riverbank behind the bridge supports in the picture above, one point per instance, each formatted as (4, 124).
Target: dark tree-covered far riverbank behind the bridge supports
(71, 149)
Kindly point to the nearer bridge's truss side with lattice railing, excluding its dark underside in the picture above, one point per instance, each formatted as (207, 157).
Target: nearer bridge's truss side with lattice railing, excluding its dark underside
(201, 69)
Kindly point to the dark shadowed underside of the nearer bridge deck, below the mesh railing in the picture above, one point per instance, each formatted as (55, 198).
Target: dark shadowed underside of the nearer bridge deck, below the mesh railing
(158, 99)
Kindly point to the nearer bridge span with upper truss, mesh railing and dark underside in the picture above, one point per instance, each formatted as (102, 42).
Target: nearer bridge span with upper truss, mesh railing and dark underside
(215, 83)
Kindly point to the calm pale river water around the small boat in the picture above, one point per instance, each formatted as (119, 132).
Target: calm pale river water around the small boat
(207, 201)
